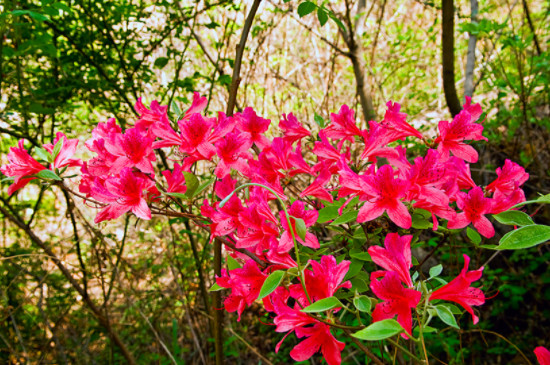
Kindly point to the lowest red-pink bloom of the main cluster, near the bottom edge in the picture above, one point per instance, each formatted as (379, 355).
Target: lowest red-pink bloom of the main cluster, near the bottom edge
(319, 338)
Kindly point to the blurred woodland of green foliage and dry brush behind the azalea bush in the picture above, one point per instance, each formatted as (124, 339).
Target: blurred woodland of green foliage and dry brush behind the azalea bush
(67, 65)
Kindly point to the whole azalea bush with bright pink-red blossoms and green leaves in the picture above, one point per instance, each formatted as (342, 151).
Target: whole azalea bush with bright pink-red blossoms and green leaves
(328, 228)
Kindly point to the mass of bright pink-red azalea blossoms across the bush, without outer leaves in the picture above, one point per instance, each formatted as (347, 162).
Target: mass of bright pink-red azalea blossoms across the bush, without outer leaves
(296, 173)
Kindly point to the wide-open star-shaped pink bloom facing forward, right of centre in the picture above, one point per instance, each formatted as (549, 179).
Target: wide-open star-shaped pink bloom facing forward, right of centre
(387, 191)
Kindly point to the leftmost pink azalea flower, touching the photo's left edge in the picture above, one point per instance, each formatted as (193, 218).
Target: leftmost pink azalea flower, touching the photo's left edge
(20, 166)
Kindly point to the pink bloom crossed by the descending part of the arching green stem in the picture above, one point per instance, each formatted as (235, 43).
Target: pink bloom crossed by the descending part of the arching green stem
(297, 210)
